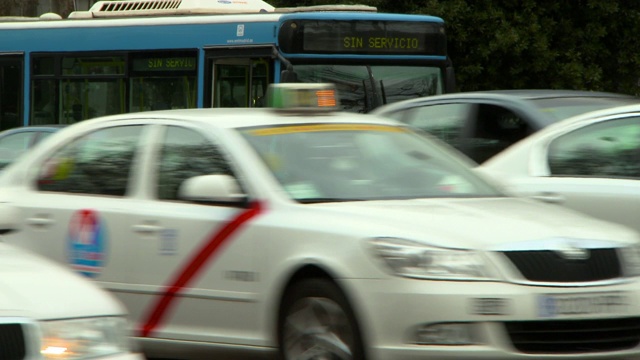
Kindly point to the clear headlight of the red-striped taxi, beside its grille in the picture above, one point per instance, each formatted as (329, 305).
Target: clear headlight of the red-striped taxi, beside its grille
(417, 260)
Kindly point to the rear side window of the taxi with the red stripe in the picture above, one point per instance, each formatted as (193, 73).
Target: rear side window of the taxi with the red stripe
(98, 163)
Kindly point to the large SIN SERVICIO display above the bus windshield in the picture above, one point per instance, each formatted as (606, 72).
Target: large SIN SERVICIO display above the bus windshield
(363, 37)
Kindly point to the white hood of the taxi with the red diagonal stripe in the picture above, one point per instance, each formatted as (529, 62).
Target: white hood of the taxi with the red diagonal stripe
(479, 223)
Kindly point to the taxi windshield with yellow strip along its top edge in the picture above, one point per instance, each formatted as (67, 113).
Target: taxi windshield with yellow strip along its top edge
(355, 162)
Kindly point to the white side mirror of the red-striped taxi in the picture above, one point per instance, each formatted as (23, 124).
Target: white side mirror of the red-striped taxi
(221, 189)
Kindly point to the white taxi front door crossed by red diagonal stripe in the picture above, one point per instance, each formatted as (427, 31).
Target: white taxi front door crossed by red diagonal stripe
(196, 275)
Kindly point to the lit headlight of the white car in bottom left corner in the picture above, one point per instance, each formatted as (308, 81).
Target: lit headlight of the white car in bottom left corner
(84, 338)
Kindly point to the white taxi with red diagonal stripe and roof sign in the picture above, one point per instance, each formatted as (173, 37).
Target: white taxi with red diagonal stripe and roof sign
(306, 233)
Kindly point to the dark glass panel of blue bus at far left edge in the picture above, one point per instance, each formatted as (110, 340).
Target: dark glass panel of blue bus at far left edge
(11, 90)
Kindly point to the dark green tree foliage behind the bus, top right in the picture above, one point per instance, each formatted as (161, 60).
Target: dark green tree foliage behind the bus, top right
(506, 44)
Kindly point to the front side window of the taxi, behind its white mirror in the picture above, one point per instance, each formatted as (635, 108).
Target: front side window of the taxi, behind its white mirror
(186, 153)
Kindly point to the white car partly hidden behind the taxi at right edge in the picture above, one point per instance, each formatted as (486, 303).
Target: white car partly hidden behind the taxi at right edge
(590, 163)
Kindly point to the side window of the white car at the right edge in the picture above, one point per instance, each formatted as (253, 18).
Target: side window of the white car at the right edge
(607, 149)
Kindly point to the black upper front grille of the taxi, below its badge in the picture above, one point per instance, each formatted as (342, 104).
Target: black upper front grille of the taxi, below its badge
(549, 266)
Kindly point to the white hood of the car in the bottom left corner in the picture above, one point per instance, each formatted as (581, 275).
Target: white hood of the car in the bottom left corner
(34, 287)
